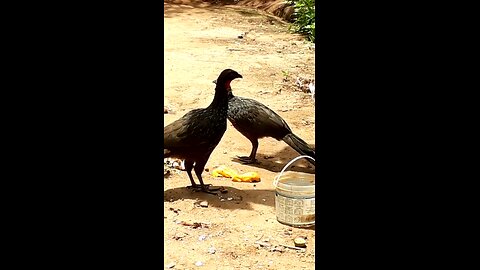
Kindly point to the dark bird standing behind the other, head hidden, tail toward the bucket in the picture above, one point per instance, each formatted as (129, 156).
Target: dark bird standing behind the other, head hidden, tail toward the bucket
(255, 120)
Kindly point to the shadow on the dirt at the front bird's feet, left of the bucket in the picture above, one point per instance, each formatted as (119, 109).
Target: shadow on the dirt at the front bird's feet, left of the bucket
(233, 199)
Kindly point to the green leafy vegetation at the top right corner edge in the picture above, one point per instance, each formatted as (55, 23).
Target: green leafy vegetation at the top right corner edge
(304, 18)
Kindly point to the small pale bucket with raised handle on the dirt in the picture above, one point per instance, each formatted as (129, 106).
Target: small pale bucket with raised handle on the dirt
(295, 197)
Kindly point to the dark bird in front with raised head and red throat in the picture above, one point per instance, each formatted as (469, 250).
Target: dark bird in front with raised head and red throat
(194, 136)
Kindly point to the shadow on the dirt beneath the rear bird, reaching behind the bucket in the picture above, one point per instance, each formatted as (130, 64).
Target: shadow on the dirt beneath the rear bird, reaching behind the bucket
(280, 159)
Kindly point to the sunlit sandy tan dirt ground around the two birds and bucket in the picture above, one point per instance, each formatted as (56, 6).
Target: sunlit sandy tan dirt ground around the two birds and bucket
(238, 229)
